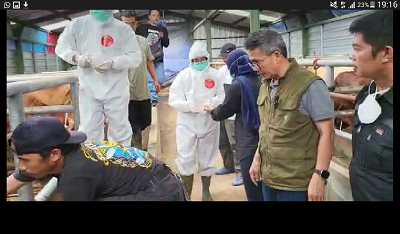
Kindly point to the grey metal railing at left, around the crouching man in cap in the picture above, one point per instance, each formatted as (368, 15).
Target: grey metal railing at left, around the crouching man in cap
(19, 84)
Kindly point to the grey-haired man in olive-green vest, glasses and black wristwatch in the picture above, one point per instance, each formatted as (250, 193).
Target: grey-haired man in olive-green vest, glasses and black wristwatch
(296, 131)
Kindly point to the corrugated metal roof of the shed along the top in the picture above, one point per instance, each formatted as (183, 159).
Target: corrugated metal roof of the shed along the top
(238, 19)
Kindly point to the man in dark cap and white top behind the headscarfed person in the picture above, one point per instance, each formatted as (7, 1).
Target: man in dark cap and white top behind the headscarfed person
(227, 140)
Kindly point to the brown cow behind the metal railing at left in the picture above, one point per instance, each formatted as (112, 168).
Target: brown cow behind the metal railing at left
(60, 95)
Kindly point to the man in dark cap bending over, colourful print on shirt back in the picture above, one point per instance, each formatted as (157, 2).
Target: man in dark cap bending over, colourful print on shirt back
(90, 171)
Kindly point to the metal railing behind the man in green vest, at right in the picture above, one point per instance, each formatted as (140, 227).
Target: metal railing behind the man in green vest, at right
(330, 64)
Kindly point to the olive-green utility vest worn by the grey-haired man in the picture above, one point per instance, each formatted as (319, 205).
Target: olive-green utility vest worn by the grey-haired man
(288, 138)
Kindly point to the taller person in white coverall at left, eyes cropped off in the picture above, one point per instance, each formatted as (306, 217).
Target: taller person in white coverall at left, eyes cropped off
(104, 49)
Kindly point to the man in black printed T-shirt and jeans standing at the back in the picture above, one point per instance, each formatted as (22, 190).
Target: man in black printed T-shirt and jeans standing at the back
(157, 35)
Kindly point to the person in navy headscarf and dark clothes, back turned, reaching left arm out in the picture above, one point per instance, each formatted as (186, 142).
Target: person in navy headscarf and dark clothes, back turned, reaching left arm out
(241, 99)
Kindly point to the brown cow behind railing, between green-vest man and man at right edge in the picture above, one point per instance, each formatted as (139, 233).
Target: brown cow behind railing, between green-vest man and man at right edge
(344, 79)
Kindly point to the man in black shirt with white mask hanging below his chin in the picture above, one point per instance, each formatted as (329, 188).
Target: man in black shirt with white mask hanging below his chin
(371, 167)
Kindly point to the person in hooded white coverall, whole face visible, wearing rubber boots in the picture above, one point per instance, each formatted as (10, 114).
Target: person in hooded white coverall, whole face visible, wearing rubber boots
(197, 134)
